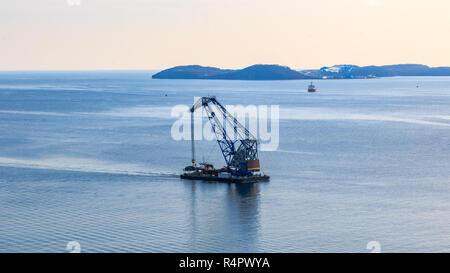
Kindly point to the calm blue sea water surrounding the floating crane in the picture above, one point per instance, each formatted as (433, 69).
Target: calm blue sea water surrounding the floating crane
(88, 157)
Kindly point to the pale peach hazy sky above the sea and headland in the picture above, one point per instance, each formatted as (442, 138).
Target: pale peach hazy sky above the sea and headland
(156, 34)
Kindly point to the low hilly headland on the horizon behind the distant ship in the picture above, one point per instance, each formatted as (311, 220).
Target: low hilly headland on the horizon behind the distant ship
(264, 72)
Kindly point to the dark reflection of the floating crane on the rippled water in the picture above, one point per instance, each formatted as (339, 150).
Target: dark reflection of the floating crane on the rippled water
(235, 215)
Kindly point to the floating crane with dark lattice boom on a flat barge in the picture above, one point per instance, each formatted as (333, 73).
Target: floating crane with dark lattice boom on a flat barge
(239, 147)
